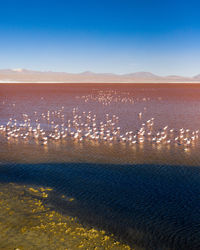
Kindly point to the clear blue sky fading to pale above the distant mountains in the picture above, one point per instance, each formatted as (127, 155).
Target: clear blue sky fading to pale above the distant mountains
(111, 36)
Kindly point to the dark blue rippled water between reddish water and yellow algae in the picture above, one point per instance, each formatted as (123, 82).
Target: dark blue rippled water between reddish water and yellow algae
(148, 206)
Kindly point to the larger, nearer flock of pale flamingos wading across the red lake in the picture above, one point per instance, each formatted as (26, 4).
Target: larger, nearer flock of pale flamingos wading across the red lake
(54, 126)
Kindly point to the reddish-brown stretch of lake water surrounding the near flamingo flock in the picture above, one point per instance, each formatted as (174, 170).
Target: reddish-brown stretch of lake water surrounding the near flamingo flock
(176, 107)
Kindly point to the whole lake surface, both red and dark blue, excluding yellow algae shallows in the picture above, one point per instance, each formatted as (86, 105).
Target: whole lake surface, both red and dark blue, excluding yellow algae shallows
(154, 201)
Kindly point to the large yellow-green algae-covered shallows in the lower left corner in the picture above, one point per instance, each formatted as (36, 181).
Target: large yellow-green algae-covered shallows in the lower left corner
(27, 223)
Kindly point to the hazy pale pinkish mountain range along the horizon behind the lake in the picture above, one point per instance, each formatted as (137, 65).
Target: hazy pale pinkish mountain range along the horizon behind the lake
(26, 76)
